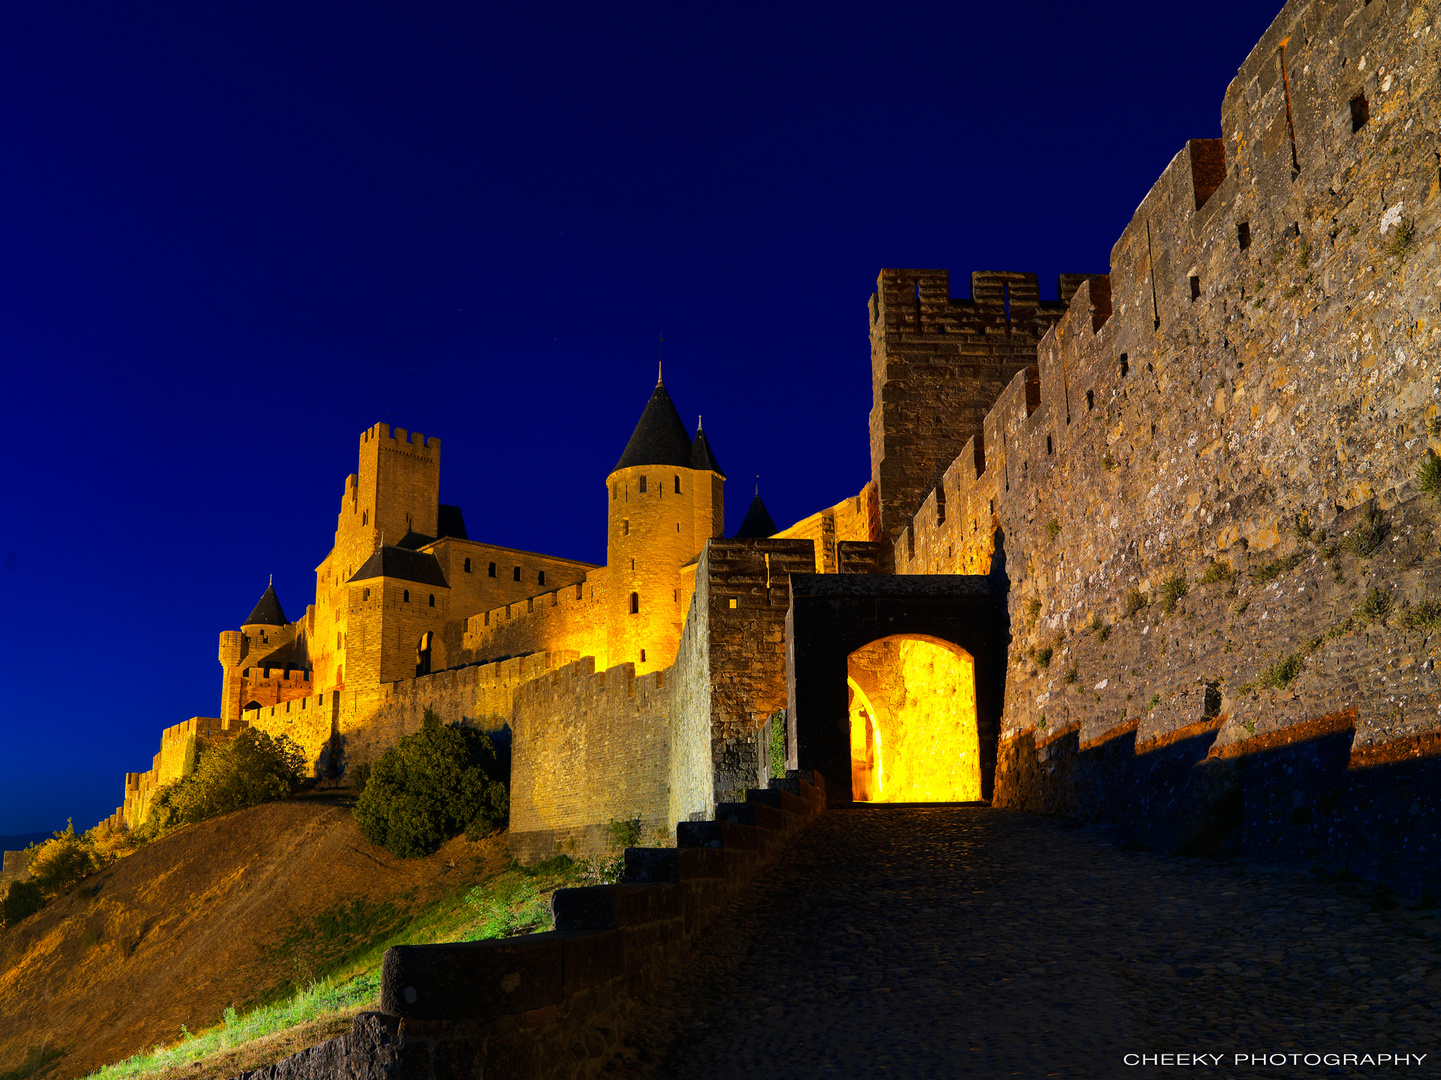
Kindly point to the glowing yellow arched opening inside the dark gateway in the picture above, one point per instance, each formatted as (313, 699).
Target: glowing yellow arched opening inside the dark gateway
(913, 723)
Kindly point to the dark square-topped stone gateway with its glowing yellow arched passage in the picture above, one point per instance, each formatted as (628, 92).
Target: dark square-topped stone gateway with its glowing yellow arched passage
(897, 684)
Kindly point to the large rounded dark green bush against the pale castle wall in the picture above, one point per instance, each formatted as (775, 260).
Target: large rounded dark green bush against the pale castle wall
(430, 788)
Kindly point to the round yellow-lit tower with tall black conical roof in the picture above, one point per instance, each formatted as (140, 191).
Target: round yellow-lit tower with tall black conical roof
(666, 501)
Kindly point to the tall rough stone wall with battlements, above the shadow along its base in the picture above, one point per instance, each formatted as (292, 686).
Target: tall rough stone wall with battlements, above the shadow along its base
(1214, 468)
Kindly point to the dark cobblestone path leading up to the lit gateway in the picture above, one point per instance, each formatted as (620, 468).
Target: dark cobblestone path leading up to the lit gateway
(973, 942)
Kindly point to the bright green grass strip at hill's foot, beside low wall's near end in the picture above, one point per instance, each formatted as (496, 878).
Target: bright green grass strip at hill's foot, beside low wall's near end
(315, 1001)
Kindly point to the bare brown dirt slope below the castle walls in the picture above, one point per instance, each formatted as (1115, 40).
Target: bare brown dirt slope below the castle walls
(181, 931)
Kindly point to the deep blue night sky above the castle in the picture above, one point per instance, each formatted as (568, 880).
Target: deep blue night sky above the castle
(233, 236)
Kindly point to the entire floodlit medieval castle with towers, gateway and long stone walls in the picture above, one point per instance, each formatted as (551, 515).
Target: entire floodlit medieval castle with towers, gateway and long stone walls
(1213, 475)
